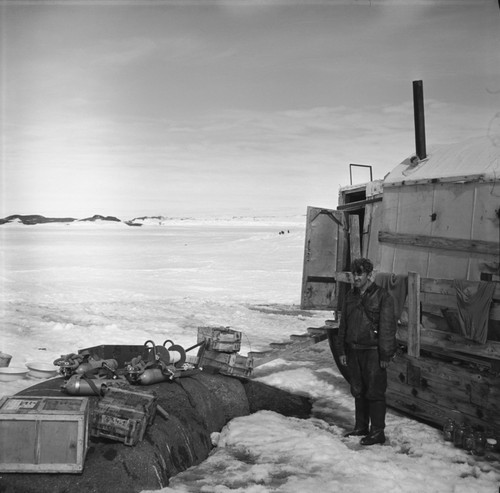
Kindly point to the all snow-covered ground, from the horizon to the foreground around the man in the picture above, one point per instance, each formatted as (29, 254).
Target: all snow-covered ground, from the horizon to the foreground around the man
(67, 287)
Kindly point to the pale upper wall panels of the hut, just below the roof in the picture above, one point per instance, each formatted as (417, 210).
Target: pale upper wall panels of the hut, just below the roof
(443, 211)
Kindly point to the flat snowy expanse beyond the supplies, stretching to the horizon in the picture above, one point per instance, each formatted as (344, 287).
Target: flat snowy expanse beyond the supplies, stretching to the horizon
(65, 285)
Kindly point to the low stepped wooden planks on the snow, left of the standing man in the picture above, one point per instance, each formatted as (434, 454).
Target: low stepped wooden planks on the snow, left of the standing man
(296, 343)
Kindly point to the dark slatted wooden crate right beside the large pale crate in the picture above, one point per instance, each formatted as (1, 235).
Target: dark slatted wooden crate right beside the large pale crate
(123, 415)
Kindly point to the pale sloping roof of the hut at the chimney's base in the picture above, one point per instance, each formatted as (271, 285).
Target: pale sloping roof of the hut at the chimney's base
(470, 160)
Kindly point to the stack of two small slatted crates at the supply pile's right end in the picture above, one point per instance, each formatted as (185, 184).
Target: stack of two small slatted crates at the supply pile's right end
(220, 352)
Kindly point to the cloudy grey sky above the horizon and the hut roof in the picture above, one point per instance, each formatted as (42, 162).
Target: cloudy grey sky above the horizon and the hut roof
(133, 108)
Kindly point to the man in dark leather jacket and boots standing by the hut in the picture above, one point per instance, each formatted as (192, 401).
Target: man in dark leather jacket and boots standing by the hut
(366, 345)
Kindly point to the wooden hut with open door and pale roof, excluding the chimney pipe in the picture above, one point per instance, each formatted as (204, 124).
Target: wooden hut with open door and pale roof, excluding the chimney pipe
(432, 223)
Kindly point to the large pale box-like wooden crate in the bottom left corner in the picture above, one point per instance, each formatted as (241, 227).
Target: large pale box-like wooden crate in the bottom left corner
(43, 434)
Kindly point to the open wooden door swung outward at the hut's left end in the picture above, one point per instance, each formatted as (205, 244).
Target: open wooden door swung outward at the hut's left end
(325, 248)
